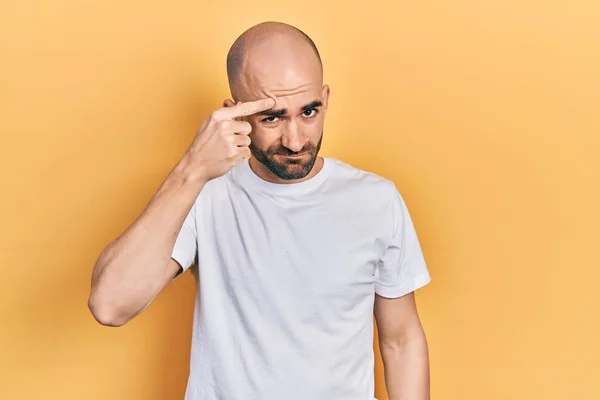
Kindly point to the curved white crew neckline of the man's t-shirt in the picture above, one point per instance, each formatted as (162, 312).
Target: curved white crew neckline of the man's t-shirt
(249, 176)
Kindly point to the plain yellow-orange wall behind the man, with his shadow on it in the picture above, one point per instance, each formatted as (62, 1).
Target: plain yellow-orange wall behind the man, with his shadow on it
(484, 113)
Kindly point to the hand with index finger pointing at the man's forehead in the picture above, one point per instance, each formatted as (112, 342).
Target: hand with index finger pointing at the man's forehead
(223, 139)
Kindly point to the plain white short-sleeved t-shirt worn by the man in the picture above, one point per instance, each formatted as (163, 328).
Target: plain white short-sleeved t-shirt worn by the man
(286, 278)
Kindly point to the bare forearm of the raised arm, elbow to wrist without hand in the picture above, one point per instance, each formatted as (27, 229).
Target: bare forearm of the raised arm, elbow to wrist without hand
(133, 269)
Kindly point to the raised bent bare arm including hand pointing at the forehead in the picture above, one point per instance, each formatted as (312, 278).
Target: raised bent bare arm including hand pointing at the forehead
(131, 271)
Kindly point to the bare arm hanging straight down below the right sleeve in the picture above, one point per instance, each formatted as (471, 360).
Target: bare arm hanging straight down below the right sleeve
(403, 347)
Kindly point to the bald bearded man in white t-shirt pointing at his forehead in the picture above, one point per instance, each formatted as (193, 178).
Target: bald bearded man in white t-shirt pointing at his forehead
(292, 253)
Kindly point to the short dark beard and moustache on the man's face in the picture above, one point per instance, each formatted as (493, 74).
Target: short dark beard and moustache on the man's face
(284, 167)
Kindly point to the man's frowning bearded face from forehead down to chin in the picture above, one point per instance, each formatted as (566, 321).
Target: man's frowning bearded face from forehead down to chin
(287, 138)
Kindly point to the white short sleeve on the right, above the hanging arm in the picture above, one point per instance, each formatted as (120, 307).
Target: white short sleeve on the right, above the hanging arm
(402, 268)
